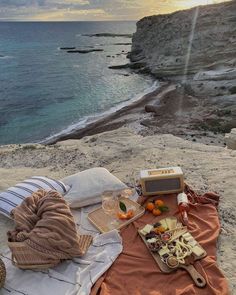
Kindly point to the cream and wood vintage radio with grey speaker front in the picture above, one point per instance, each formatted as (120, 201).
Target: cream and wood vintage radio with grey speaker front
(161, 181)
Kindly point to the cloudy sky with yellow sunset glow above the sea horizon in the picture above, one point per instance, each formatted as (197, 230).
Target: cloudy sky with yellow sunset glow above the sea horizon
(88, 10)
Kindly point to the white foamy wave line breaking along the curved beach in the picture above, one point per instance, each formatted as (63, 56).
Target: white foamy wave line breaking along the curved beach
(93, 118)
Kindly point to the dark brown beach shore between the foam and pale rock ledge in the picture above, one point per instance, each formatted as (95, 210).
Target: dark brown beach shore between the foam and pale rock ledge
(169, 109)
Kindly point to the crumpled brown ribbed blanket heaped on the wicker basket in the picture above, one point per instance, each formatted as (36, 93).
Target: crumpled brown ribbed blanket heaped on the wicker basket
(44, 221)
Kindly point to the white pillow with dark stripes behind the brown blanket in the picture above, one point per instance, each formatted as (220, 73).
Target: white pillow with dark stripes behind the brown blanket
(16, 194)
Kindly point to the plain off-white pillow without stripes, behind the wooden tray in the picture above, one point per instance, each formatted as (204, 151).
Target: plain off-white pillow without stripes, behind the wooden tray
(88, 185)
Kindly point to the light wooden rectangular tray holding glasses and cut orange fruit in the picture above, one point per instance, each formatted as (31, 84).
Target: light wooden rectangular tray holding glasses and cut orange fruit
(102, 221)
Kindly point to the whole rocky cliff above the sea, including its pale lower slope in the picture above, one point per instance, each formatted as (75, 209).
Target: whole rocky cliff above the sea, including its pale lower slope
(196, 47)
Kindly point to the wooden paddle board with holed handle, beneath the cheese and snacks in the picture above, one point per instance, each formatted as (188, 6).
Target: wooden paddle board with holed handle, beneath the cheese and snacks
(197, 278)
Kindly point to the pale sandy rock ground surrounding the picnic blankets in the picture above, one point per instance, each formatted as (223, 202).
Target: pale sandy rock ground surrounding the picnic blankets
(122, 152)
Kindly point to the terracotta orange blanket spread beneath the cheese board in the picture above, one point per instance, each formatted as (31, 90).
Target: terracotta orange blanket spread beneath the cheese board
(136, 273)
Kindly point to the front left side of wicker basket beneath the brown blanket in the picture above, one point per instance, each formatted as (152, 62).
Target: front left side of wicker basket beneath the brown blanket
(25, 257)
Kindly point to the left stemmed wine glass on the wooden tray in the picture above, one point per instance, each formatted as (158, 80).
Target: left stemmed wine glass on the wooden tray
(110, 205)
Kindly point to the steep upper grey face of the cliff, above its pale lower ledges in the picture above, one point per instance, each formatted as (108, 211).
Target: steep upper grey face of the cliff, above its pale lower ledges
(190, 41)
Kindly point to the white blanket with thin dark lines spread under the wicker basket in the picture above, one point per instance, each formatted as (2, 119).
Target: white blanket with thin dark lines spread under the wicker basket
(72, 276)
